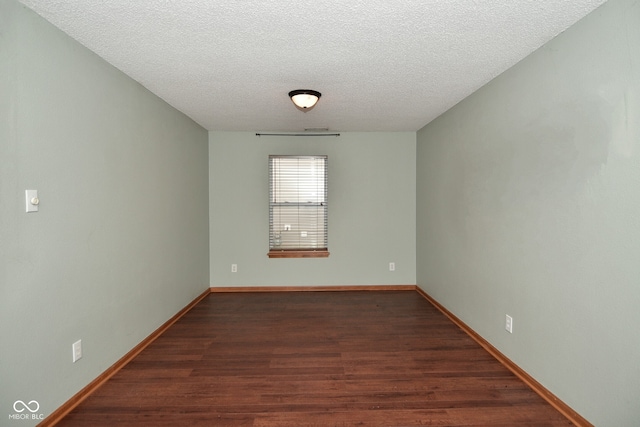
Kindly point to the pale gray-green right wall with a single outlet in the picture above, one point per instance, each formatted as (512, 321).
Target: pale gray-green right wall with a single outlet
(528, 204)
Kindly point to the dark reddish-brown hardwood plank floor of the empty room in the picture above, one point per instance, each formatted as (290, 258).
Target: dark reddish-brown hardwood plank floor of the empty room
(294, 359)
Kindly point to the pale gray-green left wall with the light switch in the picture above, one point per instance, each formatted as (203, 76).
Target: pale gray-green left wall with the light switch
(121, 240)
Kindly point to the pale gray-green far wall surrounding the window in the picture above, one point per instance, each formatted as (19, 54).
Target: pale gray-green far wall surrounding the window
(371, 210)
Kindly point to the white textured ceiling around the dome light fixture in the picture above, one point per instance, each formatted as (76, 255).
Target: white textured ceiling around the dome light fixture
(381, 65)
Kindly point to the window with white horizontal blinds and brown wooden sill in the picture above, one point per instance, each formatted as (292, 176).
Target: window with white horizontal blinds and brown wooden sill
(298, 206)
